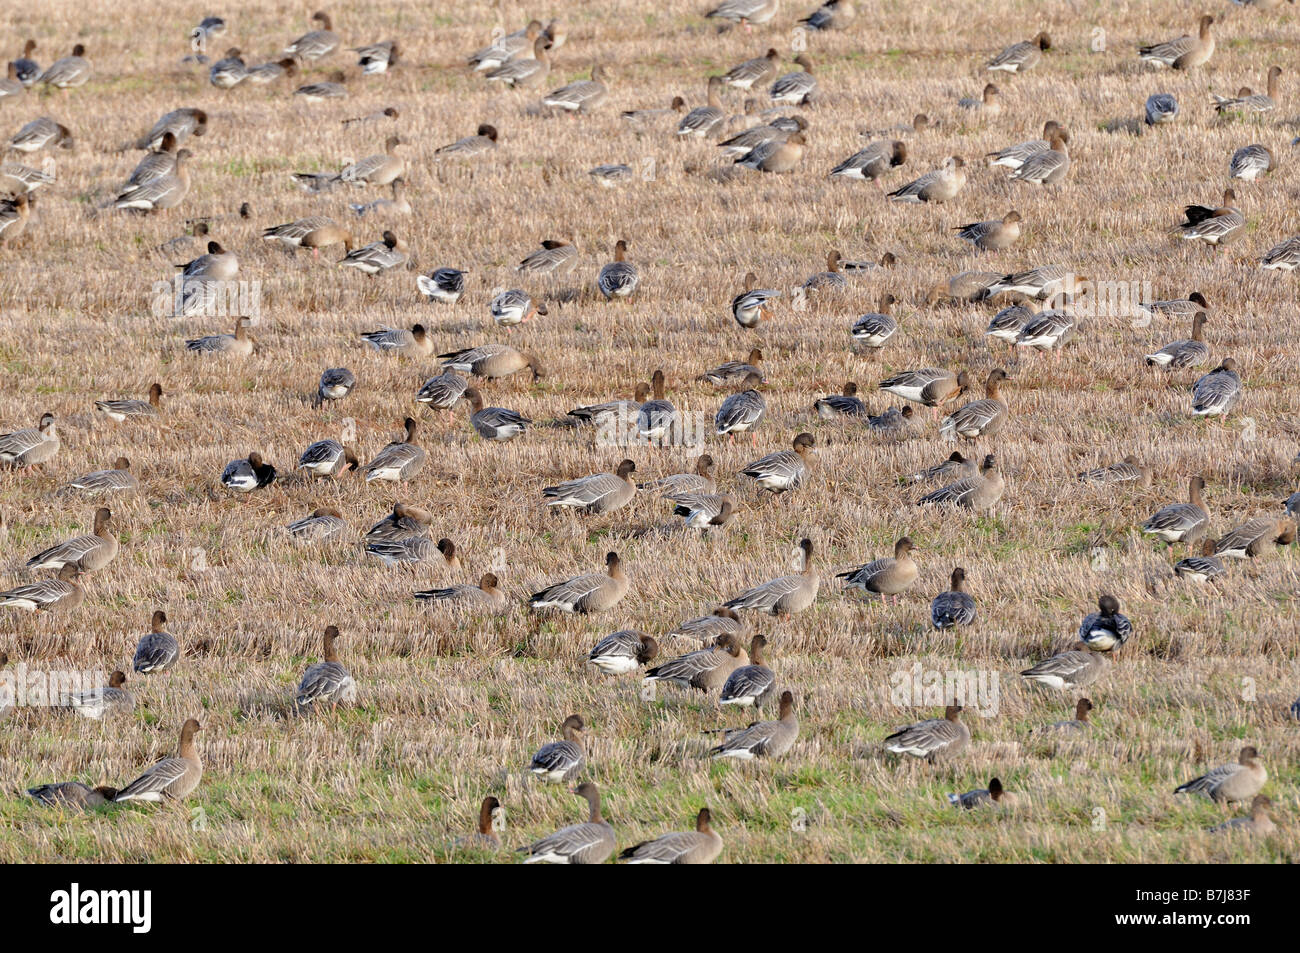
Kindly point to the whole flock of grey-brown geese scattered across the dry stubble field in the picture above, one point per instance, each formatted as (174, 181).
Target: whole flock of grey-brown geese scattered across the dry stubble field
(1034, 313)
